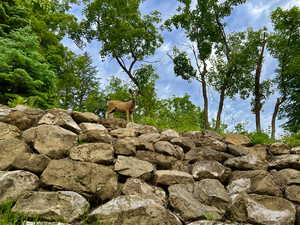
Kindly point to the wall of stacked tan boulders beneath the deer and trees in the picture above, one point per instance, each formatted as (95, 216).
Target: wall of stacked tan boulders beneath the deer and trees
(63, 167)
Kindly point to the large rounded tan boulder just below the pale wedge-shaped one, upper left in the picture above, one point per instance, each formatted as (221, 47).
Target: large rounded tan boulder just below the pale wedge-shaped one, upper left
(53, 141)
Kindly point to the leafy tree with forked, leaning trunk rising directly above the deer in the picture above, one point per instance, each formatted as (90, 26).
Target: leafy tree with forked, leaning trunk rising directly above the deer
(125, 35)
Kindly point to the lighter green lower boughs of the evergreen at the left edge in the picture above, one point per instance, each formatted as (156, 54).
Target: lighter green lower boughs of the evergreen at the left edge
(24, 71)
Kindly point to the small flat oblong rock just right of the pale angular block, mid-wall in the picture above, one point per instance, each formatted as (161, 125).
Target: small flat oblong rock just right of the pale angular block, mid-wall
(170, 177)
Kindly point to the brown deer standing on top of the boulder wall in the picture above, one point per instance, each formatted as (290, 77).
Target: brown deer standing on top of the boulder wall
(121, 106)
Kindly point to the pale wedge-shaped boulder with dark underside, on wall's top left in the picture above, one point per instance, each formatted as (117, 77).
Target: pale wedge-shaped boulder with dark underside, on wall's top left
(61, 119)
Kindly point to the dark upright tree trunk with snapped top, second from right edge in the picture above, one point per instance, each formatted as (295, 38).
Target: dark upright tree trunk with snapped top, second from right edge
(257, 90)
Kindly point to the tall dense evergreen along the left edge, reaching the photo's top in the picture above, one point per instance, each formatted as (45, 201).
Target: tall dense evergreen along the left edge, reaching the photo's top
(24, 71)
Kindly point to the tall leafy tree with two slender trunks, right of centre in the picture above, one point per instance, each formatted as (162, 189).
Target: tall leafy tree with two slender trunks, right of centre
(204, 27)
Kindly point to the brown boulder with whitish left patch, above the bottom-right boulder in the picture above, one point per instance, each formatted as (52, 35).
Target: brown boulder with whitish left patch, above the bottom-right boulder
(260, 182)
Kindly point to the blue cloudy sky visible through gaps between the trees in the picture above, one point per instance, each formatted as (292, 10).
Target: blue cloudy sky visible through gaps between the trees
(254, 13)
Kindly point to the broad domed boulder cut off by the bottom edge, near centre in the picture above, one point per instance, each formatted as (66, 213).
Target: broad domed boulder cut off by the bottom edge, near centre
(133, 209)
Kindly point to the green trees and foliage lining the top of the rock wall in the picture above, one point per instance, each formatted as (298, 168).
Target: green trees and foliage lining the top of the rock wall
(36, 69)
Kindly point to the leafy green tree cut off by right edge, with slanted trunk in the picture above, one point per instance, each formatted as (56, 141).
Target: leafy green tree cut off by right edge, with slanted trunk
(285, 47)
